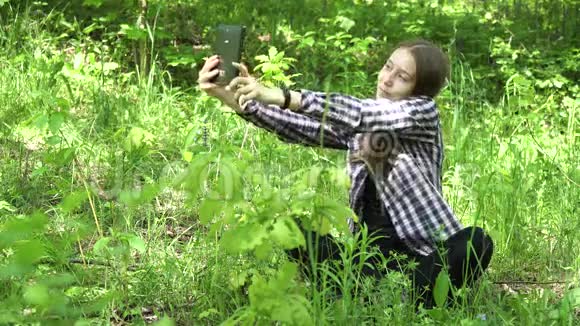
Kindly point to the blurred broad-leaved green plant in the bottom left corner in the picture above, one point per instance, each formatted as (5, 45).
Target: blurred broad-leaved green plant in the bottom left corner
(33, 292)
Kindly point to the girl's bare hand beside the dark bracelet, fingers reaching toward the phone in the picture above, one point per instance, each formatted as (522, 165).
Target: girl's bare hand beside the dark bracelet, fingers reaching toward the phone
(247, 88)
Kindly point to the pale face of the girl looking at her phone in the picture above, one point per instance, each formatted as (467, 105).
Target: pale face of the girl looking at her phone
(397, 78)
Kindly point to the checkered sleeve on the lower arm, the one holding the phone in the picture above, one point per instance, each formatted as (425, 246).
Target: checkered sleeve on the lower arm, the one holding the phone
(293, 127)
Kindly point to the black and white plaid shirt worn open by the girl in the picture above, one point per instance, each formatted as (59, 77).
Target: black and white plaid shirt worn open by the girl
(408, 178)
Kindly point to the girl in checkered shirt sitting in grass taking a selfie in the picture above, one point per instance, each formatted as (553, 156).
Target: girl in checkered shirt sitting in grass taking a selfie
(395, 154)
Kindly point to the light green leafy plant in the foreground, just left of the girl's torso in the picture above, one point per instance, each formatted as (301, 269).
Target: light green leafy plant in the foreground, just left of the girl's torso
(249, 215)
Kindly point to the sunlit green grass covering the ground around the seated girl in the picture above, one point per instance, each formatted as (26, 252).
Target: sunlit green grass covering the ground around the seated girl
(109, 140)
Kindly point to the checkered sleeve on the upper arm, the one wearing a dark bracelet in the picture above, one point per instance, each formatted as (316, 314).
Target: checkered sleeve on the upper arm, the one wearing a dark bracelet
(417, 116)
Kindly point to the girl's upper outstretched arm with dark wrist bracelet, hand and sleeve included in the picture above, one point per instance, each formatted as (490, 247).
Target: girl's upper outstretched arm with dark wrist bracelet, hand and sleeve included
(417, 116)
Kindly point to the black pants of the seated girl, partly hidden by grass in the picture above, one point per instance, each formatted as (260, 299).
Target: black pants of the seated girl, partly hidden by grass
(466, 255)
